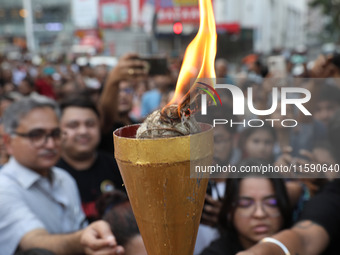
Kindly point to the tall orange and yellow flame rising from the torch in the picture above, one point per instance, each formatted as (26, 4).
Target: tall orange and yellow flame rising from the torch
(199, 58)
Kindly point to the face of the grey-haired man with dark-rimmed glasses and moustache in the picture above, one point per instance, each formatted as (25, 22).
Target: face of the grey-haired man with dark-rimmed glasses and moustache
(34, 153)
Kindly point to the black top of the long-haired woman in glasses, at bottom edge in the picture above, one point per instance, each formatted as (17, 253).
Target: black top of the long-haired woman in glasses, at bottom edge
(226, 244)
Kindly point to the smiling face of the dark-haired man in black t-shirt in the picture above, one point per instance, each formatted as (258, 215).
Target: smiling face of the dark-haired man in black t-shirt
(81, 133)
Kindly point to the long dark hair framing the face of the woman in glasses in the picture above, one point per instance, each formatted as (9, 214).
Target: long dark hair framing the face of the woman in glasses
(232, 195)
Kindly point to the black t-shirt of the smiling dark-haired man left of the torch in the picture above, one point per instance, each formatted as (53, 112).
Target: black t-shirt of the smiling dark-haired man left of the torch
(103, 176)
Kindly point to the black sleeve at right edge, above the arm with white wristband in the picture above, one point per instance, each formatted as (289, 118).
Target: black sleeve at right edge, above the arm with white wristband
(324, 210)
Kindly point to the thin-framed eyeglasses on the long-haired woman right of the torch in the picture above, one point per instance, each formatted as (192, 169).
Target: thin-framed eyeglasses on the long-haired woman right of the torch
(248, 206)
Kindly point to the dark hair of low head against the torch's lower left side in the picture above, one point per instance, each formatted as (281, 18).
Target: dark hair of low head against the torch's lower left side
(115, 208)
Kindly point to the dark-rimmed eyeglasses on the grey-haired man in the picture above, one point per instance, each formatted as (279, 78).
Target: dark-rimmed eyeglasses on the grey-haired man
(38, 137)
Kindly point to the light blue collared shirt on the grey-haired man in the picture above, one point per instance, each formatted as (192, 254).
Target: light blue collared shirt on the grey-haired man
(29, 201)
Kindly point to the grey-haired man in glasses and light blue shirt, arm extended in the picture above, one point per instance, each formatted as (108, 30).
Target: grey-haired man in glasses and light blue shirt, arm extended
(39, 204)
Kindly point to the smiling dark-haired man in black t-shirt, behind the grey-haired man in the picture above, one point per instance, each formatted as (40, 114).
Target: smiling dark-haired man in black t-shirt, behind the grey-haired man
(95, 172)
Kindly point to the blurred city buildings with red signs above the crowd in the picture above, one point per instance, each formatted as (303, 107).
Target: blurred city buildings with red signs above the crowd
(146, 25)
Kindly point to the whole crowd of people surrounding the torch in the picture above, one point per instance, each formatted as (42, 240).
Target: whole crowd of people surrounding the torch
(60, 187)
